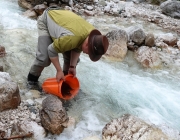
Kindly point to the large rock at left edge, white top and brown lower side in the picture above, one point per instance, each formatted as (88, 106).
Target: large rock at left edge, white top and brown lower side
(9, 92)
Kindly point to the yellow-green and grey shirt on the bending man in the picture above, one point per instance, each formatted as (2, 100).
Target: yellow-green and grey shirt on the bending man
(67, 30)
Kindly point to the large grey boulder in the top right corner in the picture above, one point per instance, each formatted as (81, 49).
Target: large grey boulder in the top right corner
(171, 8)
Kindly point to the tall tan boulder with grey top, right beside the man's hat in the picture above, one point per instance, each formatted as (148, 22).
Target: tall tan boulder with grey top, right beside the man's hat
(117, 44)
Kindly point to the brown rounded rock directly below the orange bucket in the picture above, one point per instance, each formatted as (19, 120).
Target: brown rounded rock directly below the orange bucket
(53, 115)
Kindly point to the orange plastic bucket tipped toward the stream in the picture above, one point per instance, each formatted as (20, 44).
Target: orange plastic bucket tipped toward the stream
(64, 89)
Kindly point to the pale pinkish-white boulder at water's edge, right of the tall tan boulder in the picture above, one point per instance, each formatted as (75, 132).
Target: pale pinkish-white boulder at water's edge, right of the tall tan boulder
(147, 57)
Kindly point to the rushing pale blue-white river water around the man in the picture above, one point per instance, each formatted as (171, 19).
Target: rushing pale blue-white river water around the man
(109, 89)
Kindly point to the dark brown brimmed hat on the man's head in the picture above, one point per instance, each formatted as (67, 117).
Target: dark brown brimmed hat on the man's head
(97, 45)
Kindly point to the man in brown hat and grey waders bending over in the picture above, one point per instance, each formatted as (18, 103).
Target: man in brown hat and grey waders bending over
(62, 31)
